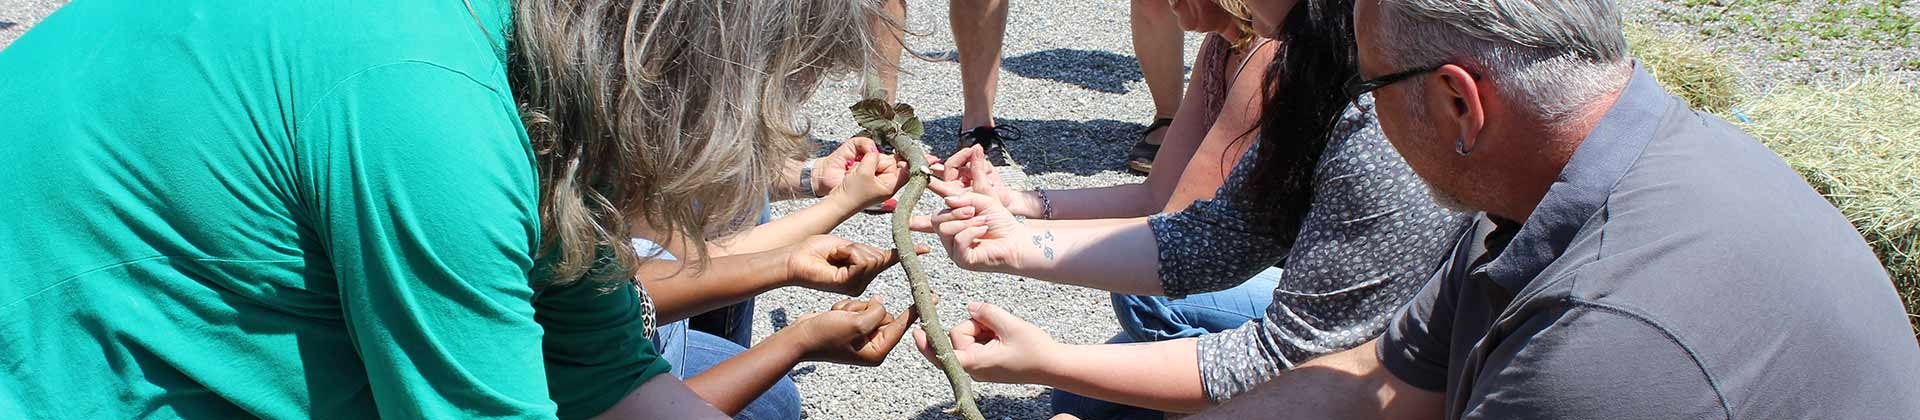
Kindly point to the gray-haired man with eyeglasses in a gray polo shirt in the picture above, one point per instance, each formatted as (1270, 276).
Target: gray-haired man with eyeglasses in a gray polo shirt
(1635, 258)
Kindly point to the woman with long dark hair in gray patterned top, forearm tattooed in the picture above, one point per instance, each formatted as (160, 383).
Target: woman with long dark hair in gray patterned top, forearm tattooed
(1322, 195)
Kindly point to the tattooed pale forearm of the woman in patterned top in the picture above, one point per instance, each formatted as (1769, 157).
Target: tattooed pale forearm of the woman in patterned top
(1113, 254)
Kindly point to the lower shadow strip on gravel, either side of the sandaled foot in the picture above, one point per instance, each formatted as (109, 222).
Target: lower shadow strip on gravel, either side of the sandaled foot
(1053, 145)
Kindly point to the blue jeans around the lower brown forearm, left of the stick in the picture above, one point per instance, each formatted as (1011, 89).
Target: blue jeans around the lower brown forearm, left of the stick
(696, 352)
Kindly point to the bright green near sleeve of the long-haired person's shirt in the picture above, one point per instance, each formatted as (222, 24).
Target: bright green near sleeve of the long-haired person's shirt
(423, 195)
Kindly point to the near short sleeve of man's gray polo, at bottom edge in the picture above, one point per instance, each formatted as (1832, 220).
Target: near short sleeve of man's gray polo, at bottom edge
(1593, 363)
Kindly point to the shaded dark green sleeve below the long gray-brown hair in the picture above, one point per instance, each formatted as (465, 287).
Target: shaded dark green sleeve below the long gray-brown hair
(598, 348)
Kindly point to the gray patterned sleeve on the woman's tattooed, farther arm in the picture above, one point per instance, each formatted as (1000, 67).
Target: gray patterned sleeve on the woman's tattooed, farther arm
(1222, 243)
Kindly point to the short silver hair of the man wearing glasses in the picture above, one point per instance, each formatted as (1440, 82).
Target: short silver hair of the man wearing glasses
(1554, 57)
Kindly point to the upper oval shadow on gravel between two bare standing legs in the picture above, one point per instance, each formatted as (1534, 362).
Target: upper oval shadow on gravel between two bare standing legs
(1103, 72)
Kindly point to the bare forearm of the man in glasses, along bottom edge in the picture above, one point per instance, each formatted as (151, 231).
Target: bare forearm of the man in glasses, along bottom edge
(1349, 385)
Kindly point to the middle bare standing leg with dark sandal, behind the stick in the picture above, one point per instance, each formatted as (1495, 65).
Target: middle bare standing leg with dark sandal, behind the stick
(980, 32)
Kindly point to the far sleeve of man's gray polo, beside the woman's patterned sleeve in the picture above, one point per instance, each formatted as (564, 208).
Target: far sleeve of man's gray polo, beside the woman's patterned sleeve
(1416, 346)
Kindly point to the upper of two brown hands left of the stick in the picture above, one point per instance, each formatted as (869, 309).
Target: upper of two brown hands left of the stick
(836, 266)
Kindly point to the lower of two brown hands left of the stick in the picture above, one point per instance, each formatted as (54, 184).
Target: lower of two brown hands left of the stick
(852, 333)
